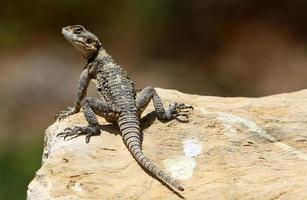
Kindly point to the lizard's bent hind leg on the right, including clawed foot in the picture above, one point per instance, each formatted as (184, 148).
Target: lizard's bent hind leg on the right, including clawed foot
(174, 111)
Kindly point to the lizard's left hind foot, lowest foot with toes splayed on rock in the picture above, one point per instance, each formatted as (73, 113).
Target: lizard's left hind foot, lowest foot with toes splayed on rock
(88, 131)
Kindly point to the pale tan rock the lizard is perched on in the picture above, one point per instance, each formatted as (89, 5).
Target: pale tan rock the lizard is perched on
(232, 148)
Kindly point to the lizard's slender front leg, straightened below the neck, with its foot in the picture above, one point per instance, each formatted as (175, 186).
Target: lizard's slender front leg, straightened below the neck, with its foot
(83, 85)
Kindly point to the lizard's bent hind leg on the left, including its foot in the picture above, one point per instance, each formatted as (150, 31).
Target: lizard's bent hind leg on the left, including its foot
(91, 106)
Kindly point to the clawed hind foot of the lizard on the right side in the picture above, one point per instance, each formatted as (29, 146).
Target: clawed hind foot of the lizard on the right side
(178, 112)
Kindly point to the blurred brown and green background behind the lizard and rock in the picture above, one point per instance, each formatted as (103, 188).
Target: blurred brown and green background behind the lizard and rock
(211, 47)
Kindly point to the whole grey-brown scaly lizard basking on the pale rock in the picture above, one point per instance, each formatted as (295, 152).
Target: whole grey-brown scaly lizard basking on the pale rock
(119, 103)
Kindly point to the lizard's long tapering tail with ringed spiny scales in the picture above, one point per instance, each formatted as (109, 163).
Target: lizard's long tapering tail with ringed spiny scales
(129, 125)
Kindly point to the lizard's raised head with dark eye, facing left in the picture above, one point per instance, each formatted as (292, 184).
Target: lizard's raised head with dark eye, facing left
(84, 41)
